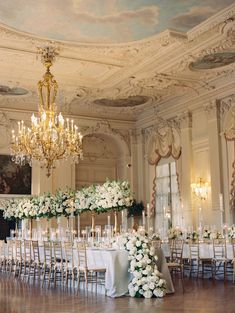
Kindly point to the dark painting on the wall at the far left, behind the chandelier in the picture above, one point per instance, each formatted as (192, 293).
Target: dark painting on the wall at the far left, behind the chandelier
(14, 179)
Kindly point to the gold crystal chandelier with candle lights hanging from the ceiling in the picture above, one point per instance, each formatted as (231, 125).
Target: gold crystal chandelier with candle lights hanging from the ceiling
(50, 138)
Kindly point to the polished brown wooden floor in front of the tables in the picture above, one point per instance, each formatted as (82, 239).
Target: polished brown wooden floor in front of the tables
(200, 296)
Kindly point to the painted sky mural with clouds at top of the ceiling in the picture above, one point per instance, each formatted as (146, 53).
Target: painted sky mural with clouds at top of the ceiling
(106, 20)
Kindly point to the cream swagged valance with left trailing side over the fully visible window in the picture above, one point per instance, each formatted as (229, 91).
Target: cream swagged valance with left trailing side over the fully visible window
(163, 143)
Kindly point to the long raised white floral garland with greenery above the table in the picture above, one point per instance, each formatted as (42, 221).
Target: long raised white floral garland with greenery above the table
(115, 195)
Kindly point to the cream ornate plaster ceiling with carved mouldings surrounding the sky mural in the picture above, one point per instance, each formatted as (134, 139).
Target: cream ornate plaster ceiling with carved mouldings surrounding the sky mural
(121, 80)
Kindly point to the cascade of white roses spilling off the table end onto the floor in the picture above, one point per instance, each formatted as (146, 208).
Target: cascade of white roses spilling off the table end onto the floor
(146, 281)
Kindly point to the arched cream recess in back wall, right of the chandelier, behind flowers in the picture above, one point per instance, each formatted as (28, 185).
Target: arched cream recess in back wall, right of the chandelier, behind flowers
(106, 156)
